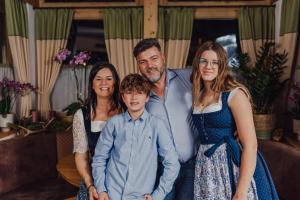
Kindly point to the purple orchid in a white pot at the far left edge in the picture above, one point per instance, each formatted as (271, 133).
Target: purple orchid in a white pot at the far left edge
(10, 90)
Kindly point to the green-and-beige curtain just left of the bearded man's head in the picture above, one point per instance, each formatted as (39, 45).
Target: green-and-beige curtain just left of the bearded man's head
(123, 29)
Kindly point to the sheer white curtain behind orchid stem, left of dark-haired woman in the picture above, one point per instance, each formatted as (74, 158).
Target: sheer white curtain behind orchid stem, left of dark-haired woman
(64, 92)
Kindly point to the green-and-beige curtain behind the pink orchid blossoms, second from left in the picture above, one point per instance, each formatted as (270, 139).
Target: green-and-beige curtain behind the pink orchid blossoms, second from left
(52, 30)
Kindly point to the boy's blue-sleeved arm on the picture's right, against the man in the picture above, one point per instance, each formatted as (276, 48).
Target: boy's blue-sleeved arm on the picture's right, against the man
(170, 162)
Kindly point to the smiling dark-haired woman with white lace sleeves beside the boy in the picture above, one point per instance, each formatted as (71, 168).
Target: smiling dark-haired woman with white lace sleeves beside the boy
(102, 103)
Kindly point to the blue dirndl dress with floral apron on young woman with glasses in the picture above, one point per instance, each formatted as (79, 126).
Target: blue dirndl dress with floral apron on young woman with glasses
(218, 159)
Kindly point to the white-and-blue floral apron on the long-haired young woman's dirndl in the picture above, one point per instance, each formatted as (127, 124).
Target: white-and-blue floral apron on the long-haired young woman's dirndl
(209, 181)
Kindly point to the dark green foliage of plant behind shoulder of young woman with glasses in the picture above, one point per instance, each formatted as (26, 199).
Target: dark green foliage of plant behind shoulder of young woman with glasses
(264, 78)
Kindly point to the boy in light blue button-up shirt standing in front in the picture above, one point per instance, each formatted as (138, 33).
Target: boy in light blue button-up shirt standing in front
(125, 160)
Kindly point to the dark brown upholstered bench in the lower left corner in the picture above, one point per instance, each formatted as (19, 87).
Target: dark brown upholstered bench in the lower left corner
(28, 167)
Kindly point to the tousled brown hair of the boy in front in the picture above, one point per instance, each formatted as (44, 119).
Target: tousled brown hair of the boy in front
(135, 82)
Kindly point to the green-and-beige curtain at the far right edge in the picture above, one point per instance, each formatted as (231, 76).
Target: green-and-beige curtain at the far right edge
(289, 32)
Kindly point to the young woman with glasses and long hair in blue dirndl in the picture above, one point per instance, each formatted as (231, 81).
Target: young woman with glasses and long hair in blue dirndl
(224, 168)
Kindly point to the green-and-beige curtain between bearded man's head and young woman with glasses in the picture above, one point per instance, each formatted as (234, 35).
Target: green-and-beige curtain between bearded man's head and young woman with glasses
(175, 27)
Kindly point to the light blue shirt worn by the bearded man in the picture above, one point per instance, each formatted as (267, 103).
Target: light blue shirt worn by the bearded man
(175, 110)
